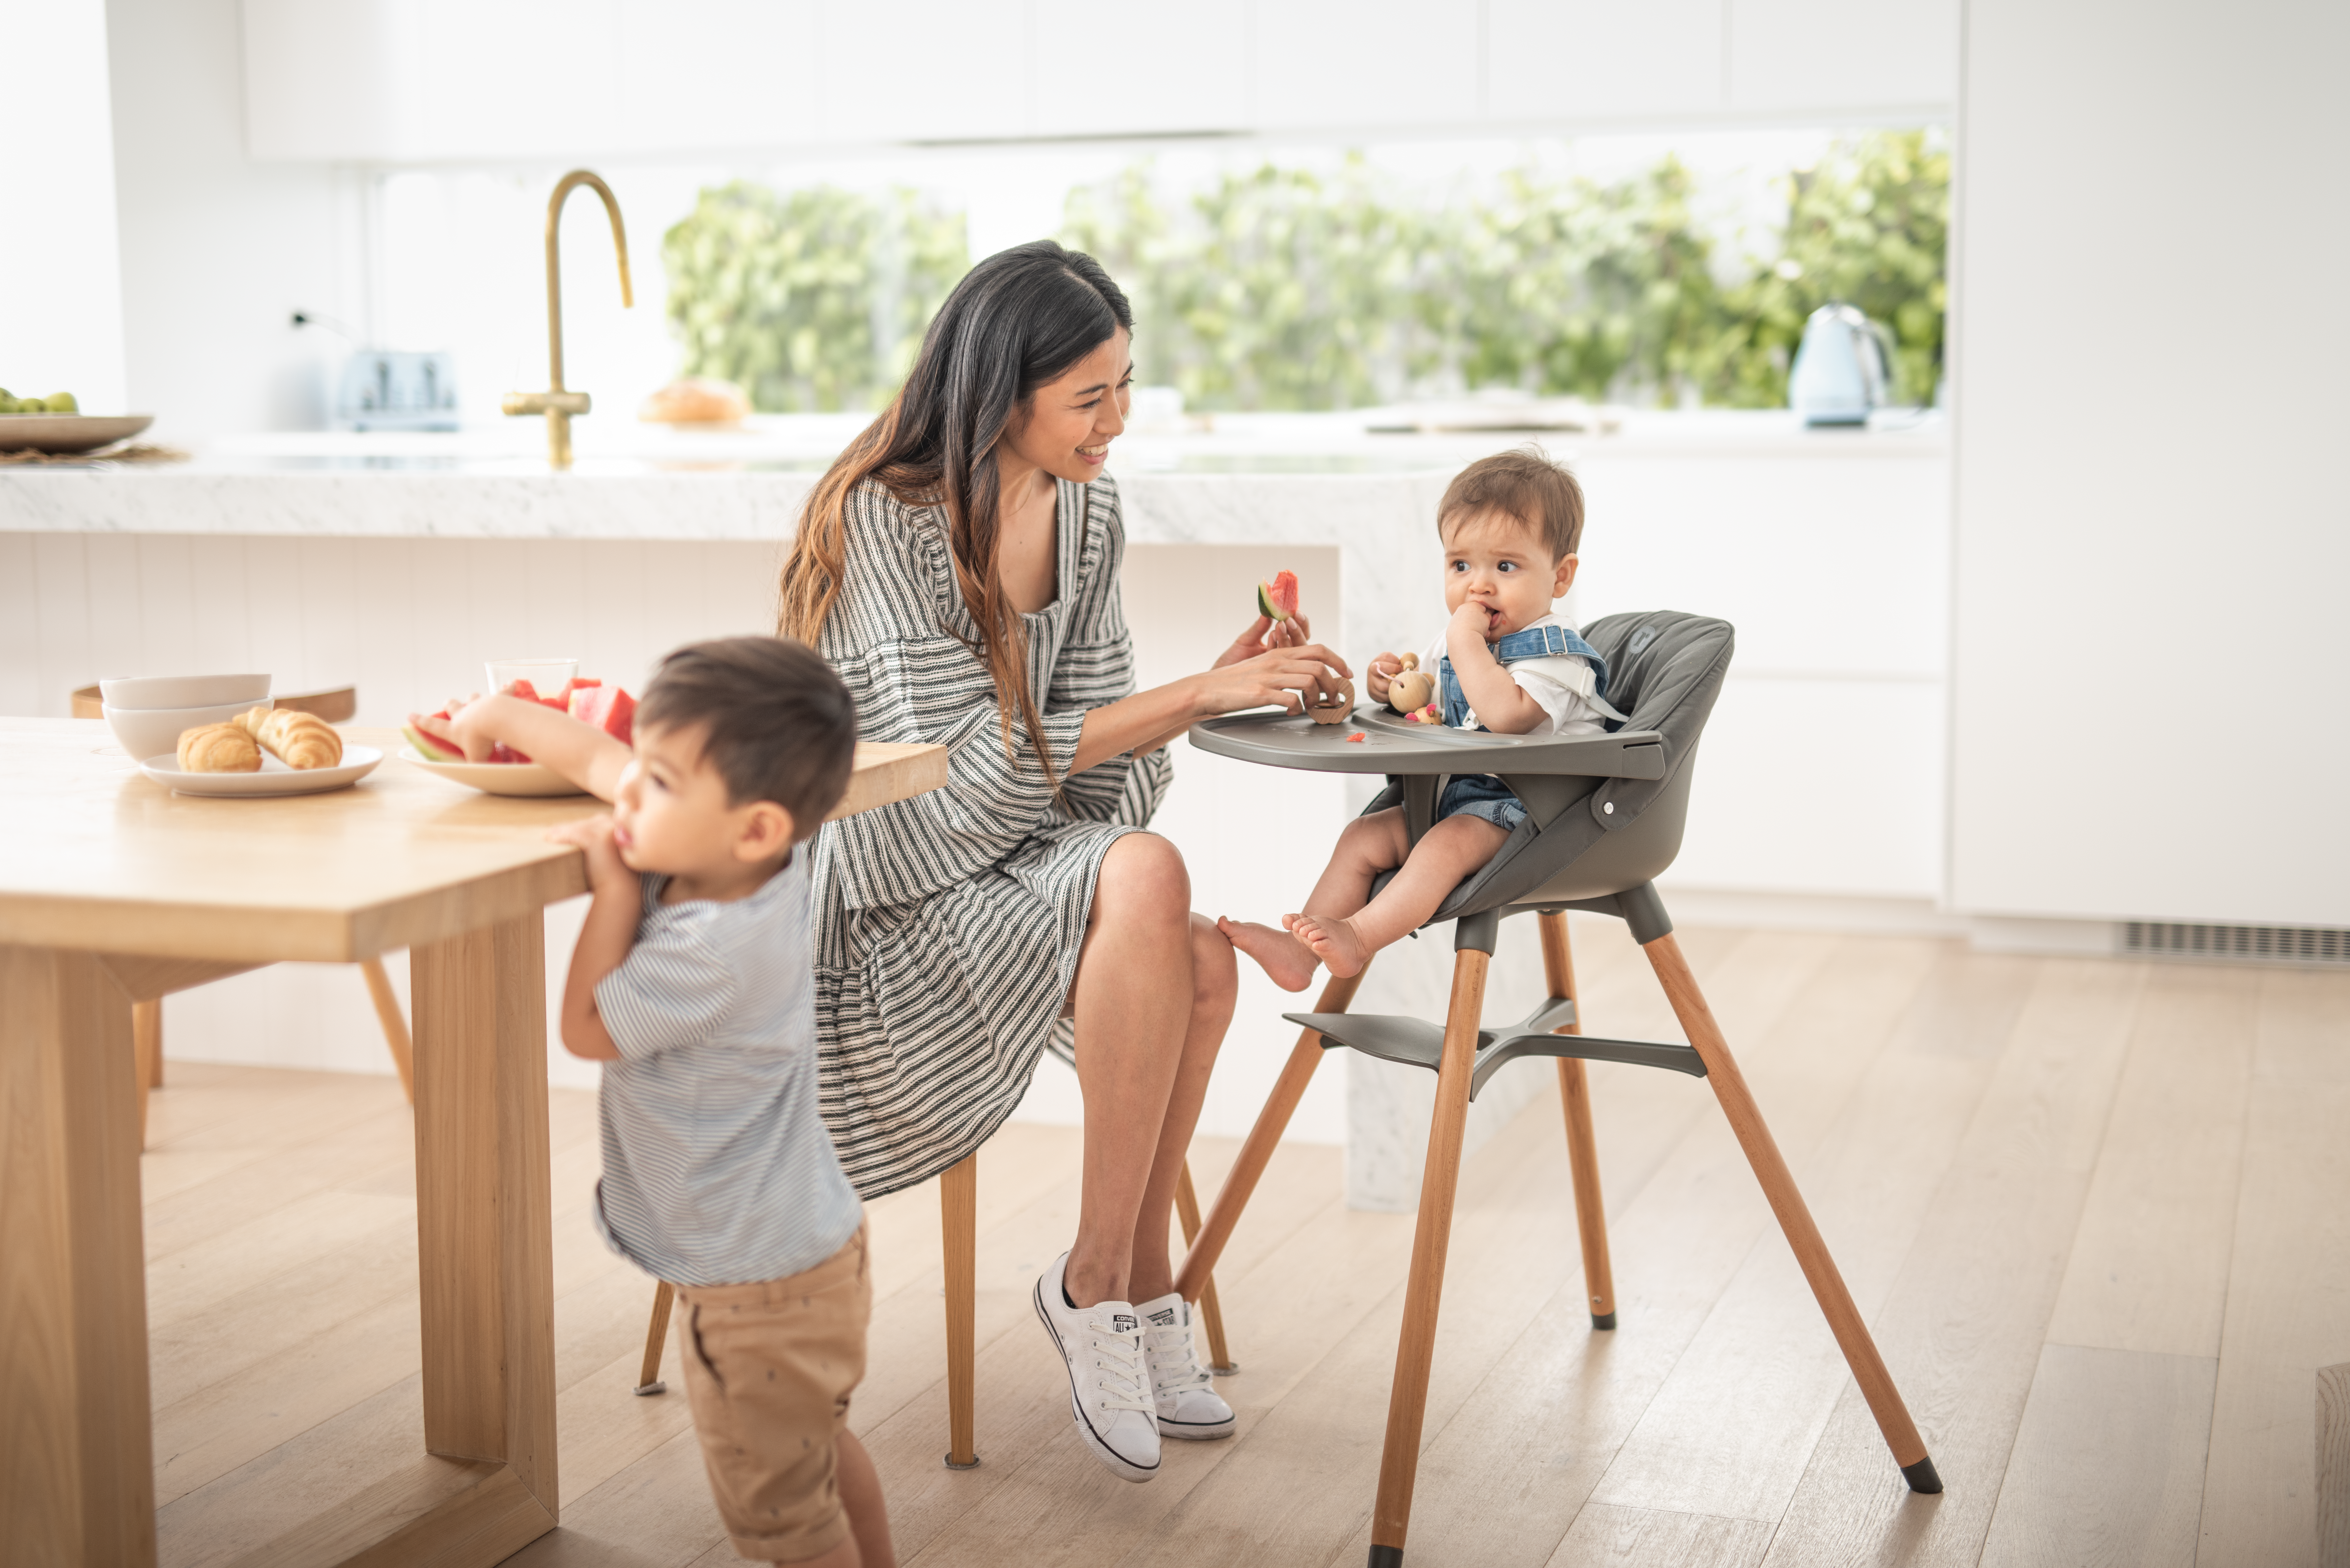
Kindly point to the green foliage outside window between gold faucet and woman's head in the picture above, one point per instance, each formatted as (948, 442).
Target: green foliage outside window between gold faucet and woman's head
(810, 300)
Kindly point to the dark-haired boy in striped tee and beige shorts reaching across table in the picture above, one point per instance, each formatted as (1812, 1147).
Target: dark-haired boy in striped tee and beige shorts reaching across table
(692, 984)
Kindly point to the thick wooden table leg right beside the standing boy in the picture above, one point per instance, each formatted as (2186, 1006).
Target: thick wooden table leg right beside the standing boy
(483, 1219)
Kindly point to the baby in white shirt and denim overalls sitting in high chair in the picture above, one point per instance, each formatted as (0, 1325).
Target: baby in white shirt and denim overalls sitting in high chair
(1505, 664)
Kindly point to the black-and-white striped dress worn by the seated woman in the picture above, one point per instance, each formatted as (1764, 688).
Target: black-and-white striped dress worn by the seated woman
(948, 925)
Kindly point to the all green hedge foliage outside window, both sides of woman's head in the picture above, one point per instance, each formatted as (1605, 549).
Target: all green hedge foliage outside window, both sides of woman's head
(1298, 290)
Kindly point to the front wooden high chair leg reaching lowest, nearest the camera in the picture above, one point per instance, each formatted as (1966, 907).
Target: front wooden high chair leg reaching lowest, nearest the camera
(1423, 1294)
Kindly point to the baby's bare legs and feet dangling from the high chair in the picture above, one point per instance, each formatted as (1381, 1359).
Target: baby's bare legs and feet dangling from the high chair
(1343, 925)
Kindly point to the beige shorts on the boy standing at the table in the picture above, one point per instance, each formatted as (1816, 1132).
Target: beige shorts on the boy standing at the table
(770, 1369)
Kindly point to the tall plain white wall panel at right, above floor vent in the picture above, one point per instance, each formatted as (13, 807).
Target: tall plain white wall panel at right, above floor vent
(2154, 535)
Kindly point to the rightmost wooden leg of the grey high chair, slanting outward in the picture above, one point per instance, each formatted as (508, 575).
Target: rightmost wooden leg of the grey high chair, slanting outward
(1794, 1217)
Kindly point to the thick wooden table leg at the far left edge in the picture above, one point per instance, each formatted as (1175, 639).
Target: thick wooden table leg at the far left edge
(76, 1442)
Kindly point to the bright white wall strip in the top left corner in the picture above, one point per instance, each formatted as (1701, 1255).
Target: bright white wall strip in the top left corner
(60, 281)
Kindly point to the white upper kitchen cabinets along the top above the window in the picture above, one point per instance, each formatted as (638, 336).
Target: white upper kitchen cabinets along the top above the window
(419, 81)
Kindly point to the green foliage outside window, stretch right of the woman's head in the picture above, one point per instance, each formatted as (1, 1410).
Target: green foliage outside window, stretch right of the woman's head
(1289, 290)
